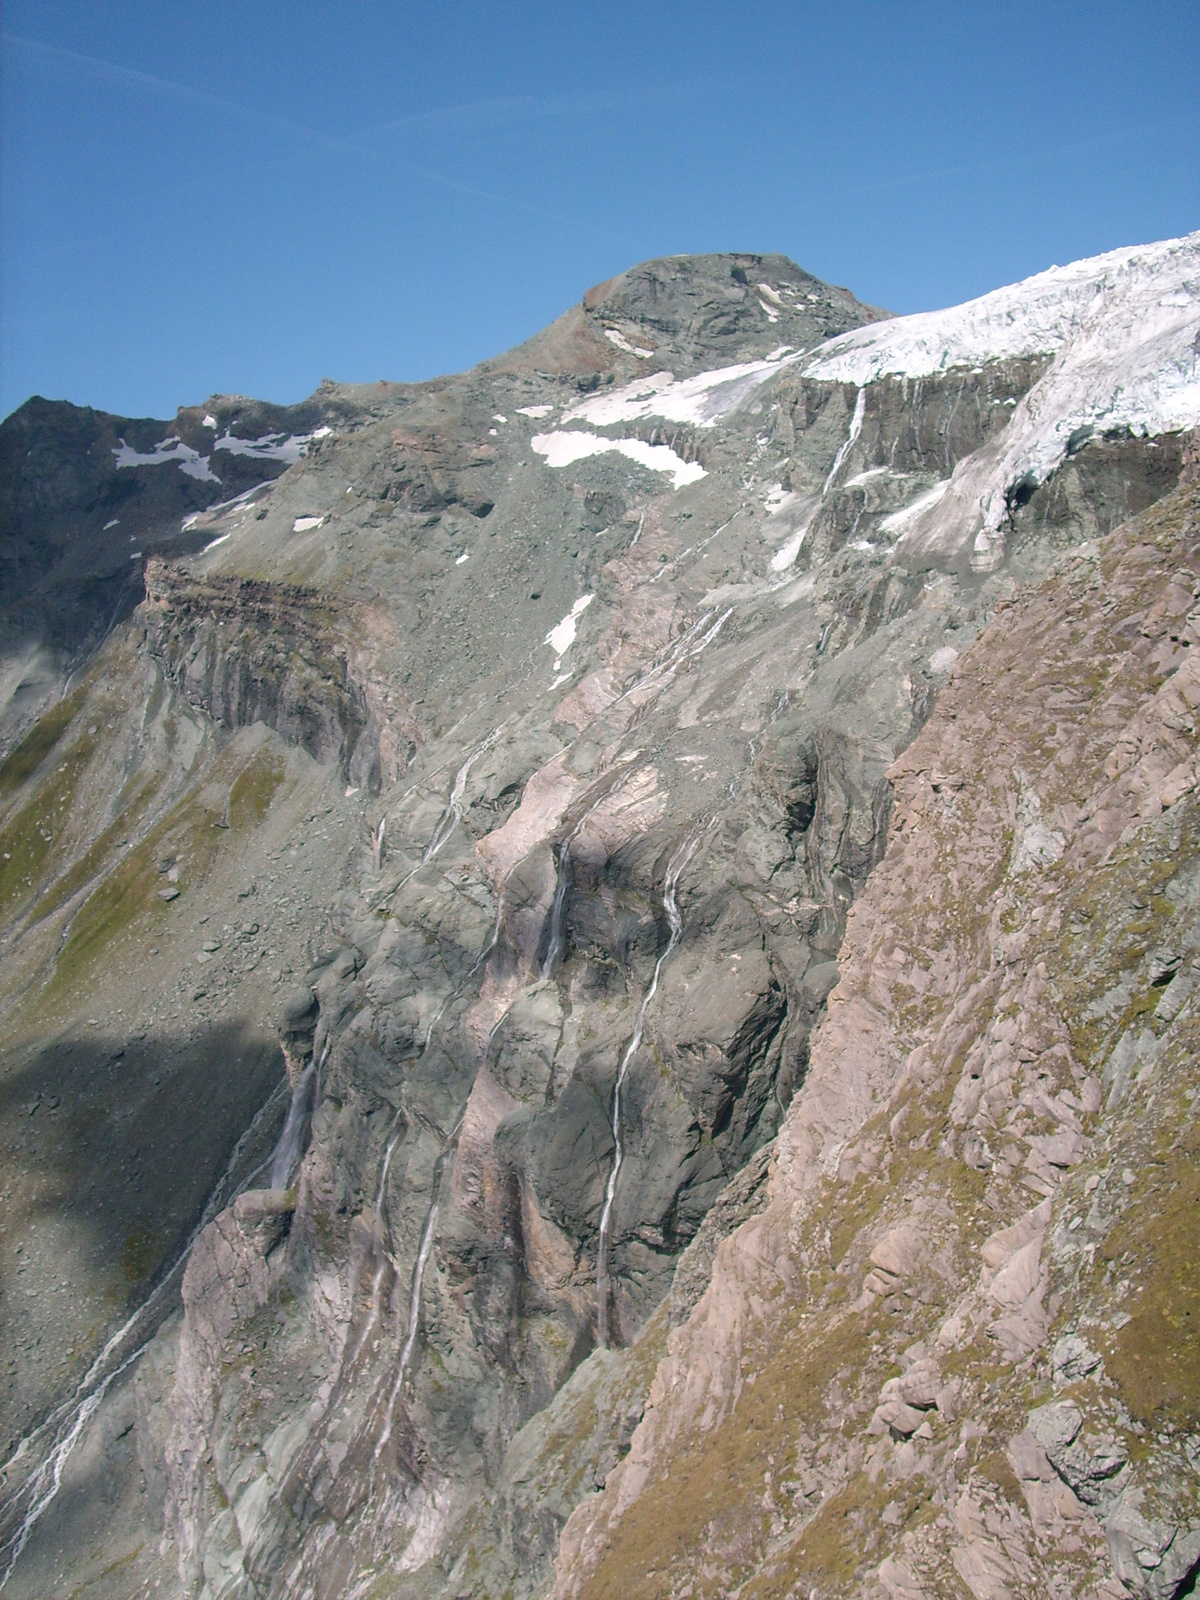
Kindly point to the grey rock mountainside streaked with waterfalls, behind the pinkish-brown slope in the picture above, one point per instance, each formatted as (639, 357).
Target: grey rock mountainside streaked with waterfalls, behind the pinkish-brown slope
(500, 778)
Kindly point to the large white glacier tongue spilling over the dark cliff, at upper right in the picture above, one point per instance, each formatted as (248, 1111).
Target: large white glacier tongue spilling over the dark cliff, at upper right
(1122, 337)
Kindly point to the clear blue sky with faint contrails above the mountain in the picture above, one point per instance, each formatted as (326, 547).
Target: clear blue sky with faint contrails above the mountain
(247, 198)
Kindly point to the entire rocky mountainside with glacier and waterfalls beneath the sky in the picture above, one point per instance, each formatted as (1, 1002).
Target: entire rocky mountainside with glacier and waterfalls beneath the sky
(601, 962)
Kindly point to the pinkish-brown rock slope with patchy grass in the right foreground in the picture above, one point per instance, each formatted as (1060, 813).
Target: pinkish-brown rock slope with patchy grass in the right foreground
(959, 1346)
